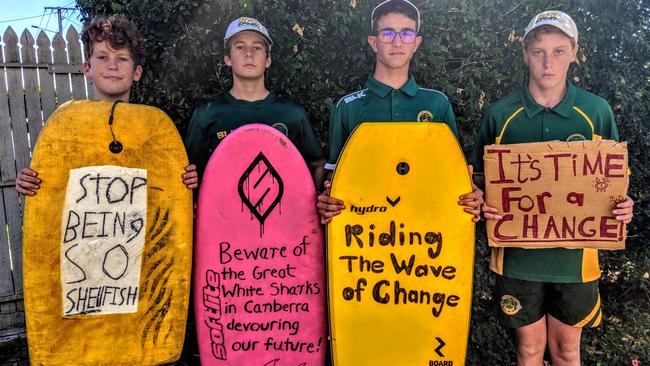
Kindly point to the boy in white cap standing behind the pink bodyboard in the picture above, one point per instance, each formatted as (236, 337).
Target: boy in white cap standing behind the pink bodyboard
(248, 53)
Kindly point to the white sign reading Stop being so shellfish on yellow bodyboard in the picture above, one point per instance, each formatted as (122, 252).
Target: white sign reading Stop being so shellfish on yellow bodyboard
(103, 232)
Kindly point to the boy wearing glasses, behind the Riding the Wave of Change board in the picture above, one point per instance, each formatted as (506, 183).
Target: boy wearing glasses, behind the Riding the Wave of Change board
(391, 94)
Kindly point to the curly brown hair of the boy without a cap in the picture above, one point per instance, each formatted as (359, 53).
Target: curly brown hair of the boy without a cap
(118, 31)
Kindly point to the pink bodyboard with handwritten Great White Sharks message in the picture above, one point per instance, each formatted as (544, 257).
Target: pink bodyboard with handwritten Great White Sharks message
(259, 282)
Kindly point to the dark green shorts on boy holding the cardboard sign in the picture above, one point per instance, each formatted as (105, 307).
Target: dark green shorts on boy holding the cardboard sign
(520, 303)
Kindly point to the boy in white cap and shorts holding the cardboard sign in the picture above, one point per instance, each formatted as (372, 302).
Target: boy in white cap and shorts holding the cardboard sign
(547, 295)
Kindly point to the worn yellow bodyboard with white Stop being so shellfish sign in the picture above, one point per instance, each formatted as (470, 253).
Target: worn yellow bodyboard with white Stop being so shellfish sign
(77, 326)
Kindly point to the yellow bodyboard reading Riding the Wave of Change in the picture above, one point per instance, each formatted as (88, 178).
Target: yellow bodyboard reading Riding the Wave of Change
(400, 256)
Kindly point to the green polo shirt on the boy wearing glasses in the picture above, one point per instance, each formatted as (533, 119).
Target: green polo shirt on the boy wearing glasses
(378, 102)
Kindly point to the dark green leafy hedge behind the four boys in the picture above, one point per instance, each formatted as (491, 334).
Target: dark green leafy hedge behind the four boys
(472, 53)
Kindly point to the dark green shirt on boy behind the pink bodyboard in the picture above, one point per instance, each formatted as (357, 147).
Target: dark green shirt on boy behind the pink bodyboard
(213, 121)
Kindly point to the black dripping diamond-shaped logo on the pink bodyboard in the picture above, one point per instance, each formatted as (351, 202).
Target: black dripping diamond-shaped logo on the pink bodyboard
(260, 189)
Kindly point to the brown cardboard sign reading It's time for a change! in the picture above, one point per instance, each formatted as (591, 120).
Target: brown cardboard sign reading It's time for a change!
(556, 194)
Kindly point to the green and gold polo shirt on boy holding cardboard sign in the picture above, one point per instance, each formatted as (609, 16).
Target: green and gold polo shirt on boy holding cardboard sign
(517, 118)
